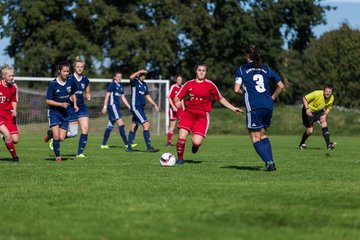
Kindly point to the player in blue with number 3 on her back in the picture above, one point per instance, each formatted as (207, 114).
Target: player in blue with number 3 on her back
(253, 80)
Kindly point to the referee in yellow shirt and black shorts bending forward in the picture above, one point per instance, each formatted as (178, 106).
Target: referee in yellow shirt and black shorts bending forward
(317, 105)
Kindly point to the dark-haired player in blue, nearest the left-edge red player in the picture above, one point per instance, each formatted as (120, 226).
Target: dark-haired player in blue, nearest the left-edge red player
(59, 92)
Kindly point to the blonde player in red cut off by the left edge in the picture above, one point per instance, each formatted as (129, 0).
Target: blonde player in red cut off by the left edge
(8, 106)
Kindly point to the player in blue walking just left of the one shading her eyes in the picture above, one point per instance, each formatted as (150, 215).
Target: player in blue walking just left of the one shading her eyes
(114, 92)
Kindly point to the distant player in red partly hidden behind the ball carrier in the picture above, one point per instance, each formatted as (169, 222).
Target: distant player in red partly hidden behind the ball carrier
(174, 112)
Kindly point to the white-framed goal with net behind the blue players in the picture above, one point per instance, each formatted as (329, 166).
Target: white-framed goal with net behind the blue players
(32, 110)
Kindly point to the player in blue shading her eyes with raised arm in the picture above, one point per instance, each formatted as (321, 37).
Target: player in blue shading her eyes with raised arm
(139, 95)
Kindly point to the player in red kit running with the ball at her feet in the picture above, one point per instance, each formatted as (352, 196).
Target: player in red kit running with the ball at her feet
(195, 118)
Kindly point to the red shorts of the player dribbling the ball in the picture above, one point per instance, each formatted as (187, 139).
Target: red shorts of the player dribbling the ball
(197, 121)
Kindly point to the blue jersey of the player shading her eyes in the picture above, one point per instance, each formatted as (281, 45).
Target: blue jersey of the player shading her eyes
(139, 90)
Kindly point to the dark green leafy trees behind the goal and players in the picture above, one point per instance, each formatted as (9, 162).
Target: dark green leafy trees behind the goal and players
(168, 37)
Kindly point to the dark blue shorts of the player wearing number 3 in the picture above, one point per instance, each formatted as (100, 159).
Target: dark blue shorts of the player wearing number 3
(258, 119)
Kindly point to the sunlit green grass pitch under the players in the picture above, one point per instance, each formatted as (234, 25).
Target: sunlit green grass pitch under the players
(219, 193)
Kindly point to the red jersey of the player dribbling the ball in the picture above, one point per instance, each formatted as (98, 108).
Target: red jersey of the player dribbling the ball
(200, 94)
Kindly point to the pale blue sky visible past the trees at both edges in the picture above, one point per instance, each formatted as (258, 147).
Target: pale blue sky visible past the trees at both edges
(347, 11)
